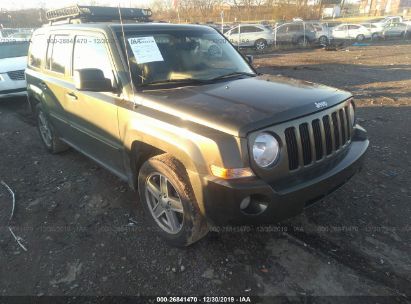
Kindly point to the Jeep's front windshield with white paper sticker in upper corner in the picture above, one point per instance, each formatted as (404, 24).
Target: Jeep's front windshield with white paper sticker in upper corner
(182, 56)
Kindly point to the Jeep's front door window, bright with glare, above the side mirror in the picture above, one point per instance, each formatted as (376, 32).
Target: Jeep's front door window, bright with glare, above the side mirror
(91, 53)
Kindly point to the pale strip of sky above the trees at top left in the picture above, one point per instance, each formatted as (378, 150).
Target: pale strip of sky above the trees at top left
(22, 4)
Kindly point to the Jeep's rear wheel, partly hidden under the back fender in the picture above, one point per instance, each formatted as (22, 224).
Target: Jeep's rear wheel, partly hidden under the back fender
(47, 132)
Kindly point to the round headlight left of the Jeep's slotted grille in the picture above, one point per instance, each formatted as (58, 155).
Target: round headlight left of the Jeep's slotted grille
(265, 150)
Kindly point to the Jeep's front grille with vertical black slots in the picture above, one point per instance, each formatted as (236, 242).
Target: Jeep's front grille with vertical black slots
(313, 140)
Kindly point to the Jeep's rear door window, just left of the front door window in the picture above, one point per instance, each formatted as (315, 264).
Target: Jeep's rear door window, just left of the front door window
(58, 53)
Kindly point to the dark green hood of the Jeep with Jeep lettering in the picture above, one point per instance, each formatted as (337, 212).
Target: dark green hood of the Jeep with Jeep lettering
(243, 105)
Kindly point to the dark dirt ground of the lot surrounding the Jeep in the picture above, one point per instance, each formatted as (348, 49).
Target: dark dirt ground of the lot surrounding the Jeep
(86, 235)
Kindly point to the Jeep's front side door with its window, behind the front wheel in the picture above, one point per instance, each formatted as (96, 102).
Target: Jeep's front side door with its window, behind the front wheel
(93, 115)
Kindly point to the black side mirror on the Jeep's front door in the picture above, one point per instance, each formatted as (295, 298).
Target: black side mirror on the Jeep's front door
(92, 80)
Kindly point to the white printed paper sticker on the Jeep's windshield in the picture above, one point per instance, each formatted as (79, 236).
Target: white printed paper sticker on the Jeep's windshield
(145, 49)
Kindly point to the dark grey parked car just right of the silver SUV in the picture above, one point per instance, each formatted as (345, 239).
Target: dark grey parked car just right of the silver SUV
(300, 33)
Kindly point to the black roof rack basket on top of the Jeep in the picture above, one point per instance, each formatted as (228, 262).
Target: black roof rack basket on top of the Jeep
(84, 14)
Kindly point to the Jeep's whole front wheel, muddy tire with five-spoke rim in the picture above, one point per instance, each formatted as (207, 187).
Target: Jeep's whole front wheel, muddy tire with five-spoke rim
(185, 224)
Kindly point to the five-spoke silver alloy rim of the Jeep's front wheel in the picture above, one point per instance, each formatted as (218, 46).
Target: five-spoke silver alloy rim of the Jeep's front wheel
(164, 203)
